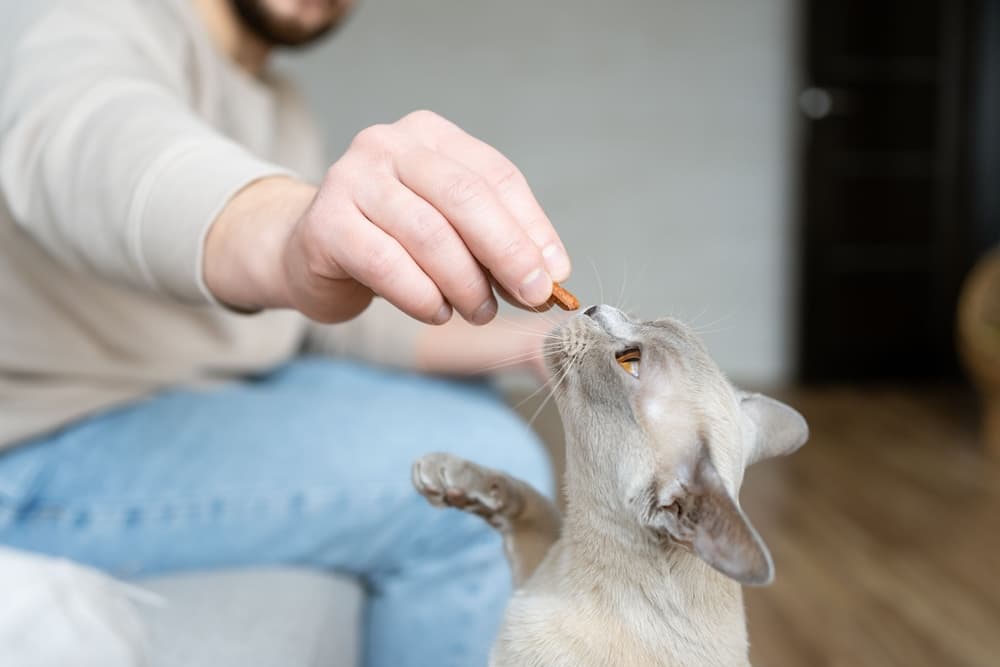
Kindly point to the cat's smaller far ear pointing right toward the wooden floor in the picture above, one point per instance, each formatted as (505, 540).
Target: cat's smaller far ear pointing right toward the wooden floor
(775, 429)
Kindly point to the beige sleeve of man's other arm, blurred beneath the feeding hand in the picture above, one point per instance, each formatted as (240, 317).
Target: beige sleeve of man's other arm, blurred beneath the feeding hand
(382, 334)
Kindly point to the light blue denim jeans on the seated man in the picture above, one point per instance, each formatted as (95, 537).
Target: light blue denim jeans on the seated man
(309, 465)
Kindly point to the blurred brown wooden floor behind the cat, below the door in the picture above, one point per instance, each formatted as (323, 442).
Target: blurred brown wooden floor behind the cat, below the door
(885, 530)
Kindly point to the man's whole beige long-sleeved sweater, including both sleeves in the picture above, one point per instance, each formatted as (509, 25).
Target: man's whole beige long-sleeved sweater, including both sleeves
(123, 133)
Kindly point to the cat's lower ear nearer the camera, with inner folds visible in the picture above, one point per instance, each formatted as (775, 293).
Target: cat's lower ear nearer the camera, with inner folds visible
(705, 518)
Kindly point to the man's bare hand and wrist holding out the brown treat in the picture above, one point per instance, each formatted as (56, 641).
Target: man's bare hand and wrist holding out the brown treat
(418, 212)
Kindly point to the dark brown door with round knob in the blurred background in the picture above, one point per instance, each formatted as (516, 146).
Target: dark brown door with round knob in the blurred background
(884, 221)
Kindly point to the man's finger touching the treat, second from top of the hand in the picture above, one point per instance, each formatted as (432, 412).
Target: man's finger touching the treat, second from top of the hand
(488, 229)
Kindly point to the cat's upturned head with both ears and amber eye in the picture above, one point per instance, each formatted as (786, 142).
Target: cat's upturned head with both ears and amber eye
(664, 437)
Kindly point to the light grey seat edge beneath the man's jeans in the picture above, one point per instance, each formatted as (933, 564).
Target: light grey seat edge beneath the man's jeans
(276, 617)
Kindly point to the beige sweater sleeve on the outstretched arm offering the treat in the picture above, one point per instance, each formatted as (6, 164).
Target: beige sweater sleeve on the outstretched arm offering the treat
(102, 159)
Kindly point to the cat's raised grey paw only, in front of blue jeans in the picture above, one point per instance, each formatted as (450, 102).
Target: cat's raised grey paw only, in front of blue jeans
(450, 481)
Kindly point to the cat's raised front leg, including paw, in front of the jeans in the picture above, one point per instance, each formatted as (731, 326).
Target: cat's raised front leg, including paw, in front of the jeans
(528, 521)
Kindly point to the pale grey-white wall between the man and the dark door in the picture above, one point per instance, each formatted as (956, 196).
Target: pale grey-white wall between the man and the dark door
(656, 133)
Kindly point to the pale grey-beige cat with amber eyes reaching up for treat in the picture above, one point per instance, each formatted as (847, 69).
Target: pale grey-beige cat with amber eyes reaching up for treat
(645, 567)
